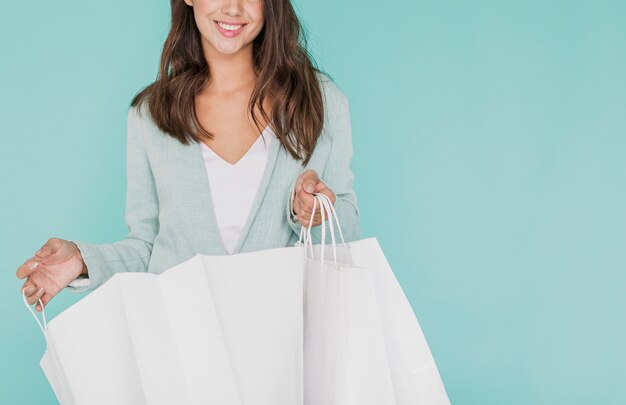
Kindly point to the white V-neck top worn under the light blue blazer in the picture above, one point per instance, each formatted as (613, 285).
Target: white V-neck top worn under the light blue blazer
(234, 186)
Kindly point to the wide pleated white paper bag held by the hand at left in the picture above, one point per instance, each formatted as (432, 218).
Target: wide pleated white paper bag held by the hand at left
(212, 330)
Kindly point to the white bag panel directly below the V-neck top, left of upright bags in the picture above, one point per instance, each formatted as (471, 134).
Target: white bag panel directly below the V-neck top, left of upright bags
(258, 299)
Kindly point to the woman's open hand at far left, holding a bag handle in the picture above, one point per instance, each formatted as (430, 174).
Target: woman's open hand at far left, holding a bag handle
(50, 270)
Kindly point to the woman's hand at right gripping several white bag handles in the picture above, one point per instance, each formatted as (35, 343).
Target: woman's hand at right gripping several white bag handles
(306, 184)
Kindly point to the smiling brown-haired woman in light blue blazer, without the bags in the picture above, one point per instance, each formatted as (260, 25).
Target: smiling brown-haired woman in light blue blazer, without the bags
(224, 150)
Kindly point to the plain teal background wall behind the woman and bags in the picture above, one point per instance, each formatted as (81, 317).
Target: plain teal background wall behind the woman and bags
(489, 141)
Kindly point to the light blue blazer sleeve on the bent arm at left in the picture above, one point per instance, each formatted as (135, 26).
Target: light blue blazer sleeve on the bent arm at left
(142, 210)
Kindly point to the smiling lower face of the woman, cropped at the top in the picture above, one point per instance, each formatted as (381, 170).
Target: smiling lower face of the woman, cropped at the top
(245, 16)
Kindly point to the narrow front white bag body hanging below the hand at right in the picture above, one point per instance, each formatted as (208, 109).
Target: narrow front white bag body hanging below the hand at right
(345, 359)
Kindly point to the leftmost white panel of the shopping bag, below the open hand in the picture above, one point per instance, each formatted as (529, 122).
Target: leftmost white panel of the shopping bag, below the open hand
(95, 352)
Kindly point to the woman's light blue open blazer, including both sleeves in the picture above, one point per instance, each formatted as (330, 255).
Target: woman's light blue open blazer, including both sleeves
(169, 210)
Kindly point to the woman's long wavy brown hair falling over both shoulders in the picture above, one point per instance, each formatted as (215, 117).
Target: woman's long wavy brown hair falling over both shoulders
(283, 67)
